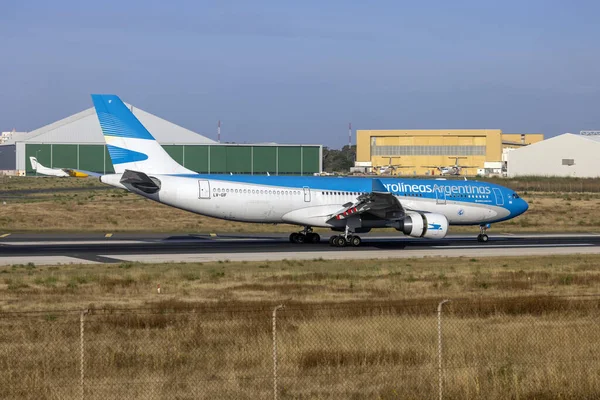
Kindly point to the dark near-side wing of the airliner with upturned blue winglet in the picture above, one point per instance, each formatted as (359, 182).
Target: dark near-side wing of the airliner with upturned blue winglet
(379, 203)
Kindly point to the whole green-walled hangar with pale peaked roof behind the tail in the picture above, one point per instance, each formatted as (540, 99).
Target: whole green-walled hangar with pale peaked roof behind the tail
(77, 142)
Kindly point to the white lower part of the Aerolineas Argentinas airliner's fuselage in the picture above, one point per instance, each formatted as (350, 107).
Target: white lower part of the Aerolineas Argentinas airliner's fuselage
(260, 203)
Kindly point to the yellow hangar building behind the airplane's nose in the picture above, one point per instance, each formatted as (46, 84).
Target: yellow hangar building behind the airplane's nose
(419, 152)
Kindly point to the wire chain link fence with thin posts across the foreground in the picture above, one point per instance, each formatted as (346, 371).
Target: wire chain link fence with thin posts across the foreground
(524, 348)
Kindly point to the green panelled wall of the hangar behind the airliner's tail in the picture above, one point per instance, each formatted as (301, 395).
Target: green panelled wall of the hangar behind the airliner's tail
(213, 159)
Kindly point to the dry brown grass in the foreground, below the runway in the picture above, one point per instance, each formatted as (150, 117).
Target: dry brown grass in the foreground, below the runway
(520, 328)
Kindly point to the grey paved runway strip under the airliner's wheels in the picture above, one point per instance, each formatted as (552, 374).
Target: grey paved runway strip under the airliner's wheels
(50, 249)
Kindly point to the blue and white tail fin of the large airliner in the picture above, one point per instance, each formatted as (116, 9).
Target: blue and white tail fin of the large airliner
(130, 145)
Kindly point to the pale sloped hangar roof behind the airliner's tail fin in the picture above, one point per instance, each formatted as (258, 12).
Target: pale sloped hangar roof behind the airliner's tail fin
(84, 128)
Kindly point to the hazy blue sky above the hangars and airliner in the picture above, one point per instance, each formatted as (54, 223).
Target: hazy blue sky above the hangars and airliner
(300, 71)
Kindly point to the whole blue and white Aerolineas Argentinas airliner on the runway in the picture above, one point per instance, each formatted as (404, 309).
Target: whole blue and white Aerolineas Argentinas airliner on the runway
(418, 208)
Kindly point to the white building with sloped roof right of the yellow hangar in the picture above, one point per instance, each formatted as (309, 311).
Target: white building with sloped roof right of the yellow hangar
(563, 155)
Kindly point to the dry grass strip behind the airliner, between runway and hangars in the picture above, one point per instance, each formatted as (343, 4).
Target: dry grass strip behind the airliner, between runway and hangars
(113, 210)
